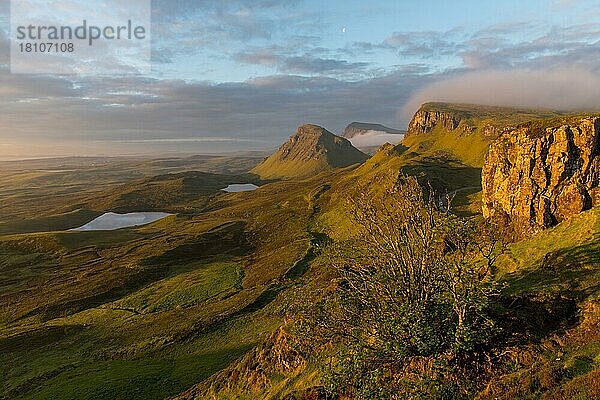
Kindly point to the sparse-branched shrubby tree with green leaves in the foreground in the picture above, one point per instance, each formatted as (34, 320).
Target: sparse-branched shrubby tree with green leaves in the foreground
(409, 313)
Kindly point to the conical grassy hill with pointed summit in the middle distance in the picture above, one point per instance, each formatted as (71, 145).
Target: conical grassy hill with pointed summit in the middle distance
(312, 149)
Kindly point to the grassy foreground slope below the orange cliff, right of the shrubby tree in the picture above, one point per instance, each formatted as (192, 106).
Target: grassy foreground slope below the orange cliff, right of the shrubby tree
(554, 279)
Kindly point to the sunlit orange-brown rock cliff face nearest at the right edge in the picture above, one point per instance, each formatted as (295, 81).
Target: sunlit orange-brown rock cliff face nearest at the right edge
(541, 173)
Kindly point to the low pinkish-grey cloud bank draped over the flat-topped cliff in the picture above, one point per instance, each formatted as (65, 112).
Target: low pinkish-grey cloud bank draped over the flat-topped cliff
(565, 88)
